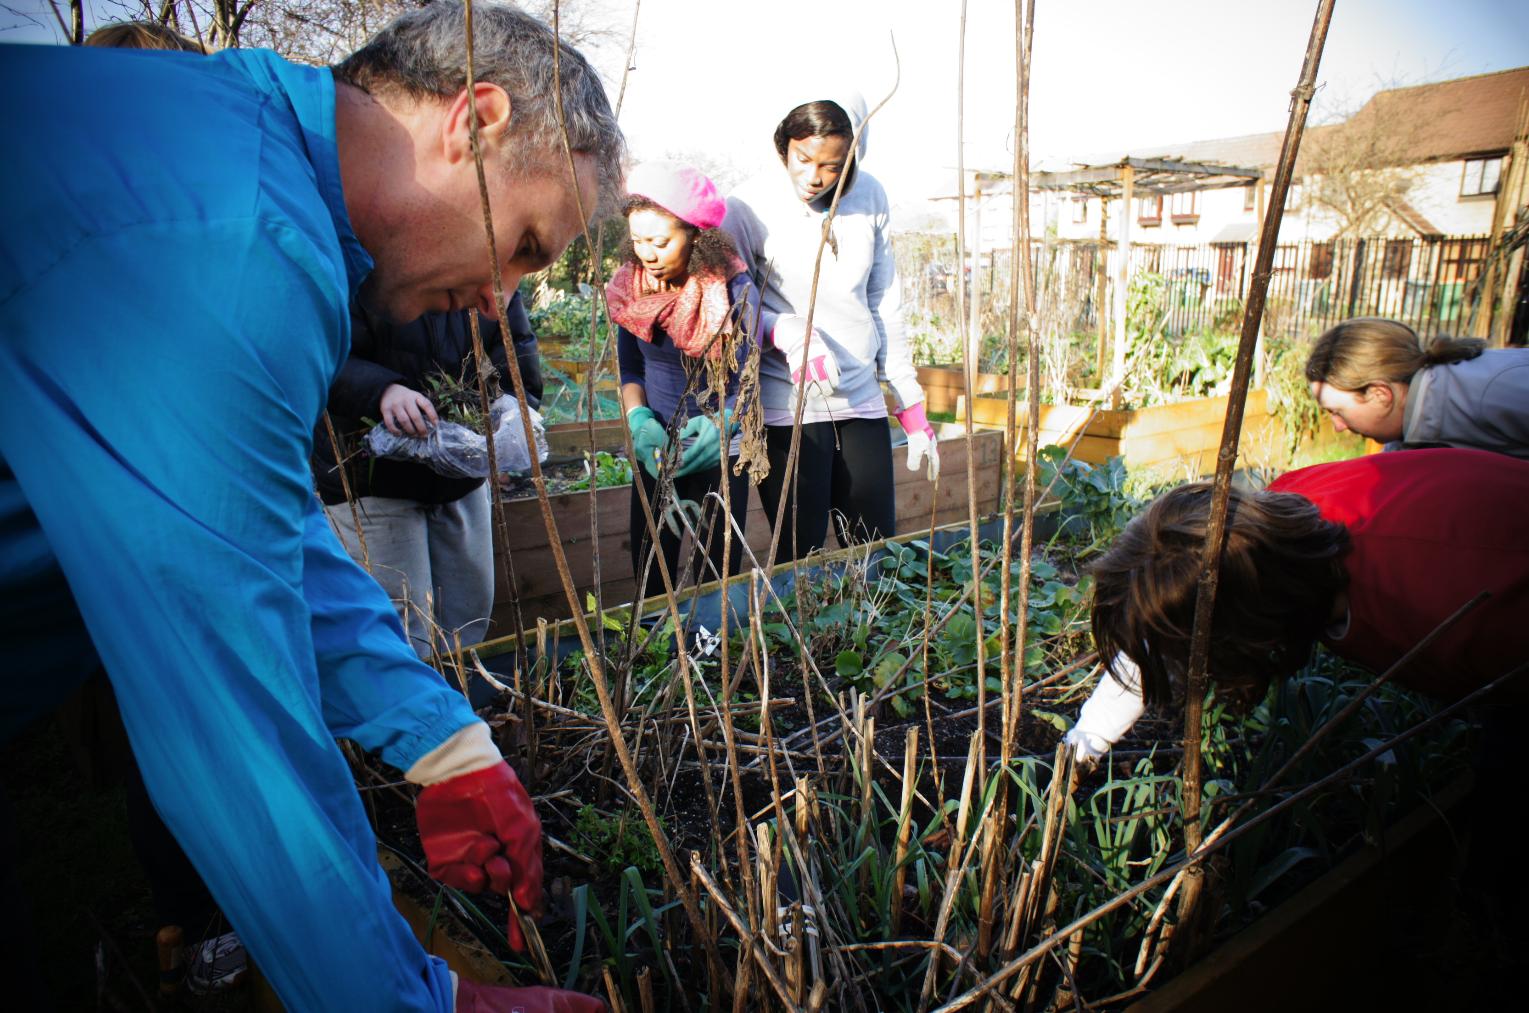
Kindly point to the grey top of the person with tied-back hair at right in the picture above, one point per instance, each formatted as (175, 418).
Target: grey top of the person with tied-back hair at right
(1479, 404)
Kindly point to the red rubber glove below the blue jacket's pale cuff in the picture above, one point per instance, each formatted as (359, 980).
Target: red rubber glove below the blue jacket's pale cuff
(481, 832)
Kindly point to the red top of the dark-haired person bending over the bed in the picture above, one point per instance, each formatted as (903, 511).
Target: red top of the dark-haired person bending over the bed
(1430, 531)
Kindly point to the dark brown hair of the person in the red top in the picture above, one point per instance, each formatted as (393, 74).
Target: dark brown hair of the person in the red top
(1281, 574)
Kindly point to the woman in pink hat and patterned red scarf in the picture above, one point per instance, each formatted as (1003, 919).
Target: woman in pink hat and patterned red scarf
(680, 303)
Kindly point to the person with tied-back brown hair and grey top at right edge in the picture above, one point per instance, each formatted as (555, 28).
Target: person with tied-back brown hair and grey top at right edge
(1383, 381)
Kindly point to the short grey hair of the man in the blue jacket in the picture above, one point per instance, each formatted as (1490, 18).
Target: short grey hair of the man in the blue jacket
(423, 54)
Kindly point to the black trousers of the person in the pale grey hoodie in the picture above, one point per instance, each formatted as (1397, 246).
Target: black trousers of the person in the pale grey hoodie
(843, 471)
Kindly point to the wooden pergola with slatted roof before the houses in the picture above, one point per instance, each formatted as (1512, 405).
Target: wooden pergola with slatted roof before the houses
(1132, 178)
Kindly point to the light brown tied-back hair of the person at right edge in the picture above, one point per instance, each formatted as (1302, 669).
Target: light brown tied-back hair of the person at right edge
(1377, 351)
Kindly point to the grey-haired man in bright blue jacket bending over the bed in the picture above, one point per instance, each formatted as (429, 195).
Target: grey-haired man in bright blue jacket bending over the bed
(178, 254)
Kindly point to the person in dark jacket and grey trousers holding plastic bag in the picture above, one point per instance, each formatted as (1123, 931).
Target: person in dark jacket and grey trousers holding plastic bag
(429, 537)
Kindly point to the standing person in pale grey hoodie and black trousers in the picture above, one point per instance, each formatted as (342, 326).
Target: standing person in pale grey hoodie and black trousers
(857, 341)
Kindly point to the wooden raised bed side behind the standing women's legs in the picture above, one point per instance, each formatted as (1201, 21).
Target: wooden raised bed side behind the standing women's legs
(536, 569)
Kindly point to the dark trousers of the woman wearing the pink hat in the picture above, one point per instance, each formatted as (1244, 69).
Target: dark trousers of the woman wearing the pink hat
(703, 566)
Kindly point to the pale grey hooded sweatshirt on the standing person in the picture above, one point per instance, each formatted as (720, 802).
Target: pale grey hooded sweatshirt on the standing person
(860, 300)
